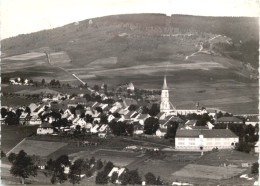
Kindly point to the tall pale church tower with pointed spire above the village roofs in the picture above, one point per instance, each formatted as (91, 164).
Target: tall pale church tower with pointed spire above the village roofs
(165, 102)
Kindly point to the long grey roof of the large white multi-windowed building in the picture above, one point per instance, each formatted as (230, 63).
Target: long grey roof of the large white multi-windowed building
(214, 133)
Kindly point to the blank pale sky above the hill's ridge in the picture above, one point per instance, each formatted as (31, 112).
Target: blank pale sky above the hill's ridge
(26, 16)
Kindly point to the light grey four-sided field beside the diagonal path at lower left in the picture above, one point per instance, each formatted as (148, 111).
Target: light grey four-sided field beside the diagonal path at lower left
(38, 148)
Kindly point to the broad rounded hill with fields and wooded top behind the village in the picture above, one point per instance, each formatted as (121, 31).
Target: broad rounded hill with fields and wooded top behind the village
(215, 54)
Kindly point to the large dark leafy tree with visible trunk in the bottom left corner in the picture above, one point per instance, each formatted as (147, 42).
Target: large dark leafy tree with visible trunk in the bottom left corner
(23, 166)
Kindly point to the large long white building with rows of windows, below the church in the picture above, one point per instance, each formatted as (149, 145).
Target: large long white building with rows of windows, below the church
(198, 139)
